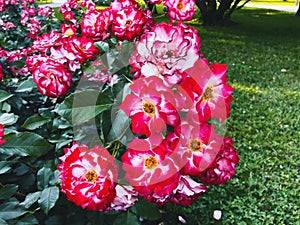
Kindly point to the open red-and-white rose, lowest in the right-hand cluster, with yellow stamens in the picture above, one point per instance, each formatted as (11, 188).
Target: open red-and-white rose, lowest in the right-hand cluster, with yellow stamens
(150, 169)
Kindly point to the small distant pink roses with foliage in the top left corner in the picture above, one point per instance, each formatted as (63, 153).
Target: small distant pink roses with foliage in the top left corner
(21, 22)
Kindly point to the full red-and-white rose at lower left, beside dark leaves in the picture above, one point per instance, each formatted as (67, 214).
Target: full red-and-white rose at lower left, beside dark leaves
(89, 177)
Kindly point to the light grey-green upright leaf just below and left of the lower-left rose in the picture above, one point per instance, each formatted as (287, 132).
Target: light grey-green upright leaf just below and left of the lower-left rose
(48, 198)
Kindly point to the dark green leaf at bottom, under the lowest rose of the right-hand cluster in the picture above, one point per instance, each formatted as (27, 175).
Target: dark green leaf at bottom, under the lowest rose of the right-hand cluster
(147, 210)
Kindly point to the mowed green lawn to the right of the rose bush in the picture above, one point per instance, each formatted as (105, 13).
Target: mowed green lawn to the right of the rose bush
(262, 52)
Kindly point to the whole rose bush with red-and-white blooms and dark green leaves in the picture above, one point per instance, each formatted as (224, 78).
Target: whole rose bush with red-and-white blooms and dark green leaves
(115, 111)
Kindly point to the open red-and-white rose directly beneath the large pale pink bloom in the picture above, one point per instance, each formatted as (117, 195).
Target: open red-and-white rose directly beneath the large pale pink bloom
(151, 107)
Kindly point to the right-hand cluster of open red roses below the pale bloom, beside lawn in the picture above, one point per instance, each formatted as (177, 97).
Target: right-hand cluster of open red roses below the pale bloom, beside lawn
(157, 165)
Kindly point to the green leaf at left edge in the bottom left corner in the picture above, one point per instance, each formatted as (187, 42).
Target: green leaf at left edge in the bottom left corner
(11, 210)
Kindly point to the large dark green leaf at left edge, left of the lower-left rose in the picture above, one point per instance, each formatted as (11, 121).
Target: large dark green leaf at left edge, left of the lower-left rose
(25, 144)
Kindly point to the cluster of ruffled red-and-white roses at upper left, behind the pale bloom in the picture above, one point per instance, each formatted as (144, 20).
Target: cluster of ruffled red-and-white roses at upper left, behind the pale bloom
(66, 51)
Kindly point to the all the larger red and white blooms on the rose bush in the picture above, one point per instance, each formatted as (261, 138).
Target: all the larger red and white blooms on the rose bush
(175, 94)
